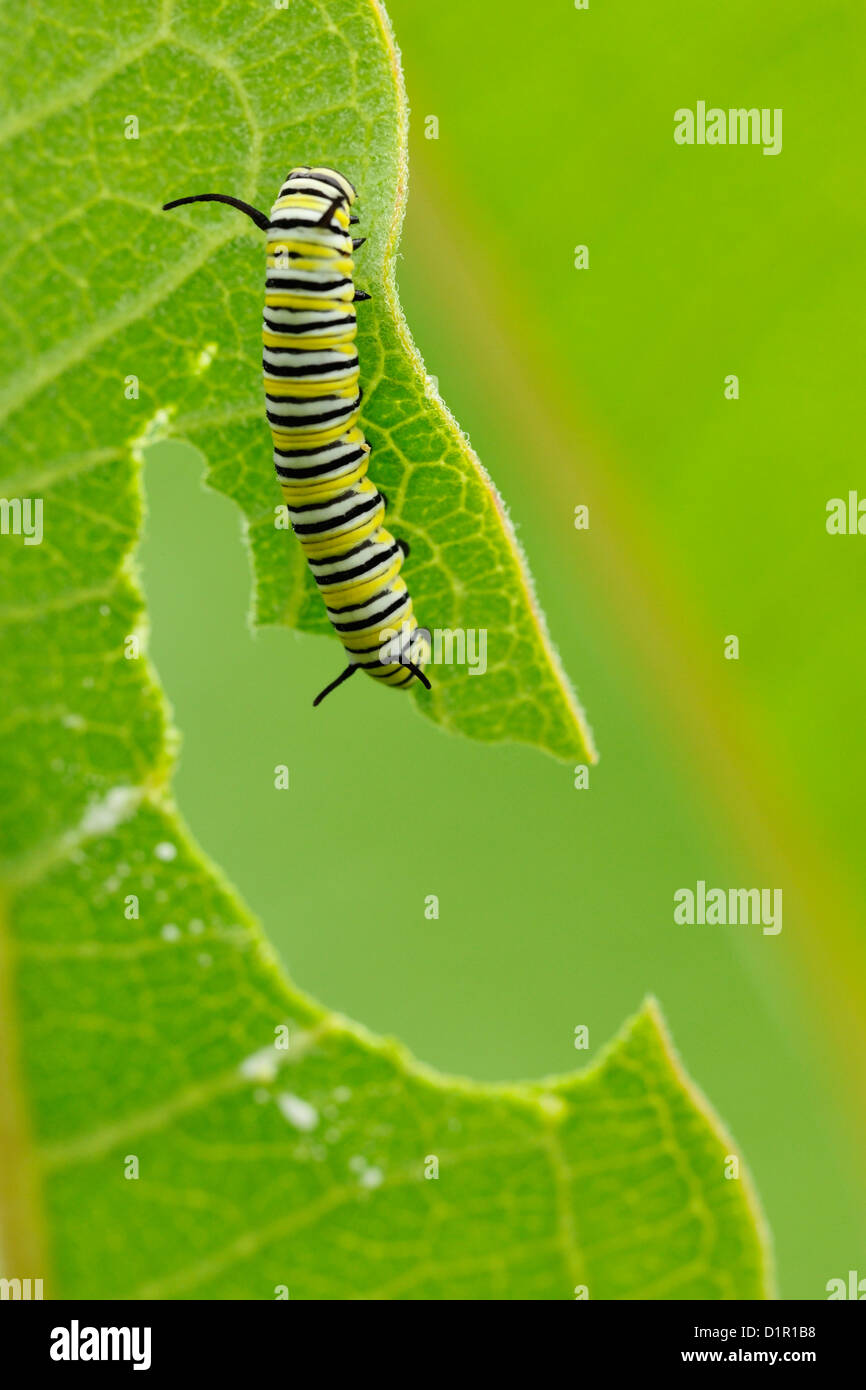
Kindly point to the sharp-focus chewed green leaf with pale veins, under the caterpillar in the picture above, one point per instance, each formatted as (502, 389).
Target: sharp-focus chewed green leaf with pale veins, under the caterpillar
(155, 1139)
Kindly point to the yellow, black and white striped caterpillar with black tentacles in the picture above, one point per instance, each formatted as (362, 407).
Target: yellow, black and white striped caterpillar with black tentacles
(313, 401)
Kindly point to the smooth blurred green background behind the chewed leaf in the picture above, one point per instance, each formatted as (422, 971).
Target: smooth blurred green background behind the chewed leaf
(601, 387)
